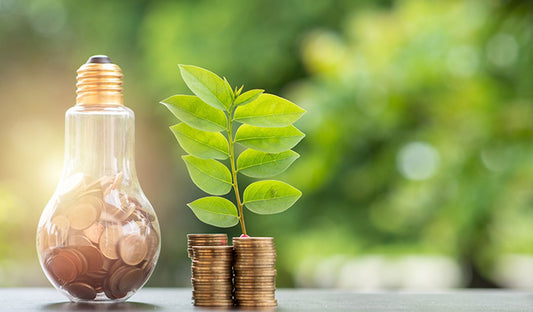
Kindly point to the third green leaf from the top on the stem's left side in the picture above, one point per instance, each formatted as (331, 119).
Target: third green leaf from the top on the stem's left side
(201, 143)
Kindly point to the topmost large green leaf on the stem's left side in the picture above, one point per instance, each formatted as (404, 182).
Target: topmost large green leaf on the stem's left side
(207, 86)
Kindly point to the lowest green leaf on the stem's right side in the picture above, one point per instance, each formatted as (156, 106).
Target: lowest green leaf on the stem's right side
(269, 197)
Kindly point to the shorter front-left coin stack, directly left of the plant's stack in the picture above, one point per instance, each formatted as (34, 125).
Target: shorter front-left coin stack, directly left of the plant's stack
(212, 276)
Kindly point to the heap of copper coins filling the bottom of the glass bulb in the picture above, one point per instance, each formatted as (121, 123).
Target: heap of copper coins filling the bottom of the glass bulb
(99, 243)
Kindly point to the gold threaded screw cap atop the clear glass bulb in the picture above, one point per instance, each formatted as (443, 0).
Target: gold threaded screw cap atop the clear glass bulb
(99, 82)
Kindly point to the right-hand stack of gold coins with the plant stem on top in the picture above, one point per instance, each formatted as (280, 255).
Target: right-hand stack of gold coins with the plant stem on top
(255, 272)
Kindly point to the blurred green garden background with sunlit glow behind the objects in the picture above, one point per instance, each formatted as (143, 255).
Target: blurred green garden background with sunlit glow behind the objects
(417, 168)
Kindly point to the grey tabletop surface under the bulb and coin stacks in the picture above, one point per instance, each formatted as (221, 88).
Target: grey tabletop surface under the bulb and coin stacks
(179, 299)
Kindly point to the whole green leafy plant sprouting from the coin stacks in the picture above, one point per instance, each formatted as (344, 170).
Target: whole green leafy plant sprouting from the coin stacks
(213, 122)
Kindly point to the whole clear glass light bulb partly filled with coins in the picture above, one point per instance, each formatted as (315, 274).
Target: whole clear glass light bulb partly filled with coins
(98, 237)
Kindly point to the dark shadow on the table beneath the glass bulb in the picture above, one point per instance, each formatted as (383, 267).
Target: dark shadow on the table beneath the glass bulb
(121, 306)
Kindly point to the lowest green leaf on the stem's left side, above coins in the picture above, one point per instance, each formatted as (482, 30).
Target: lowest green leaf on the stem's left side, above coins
(215, 211)
